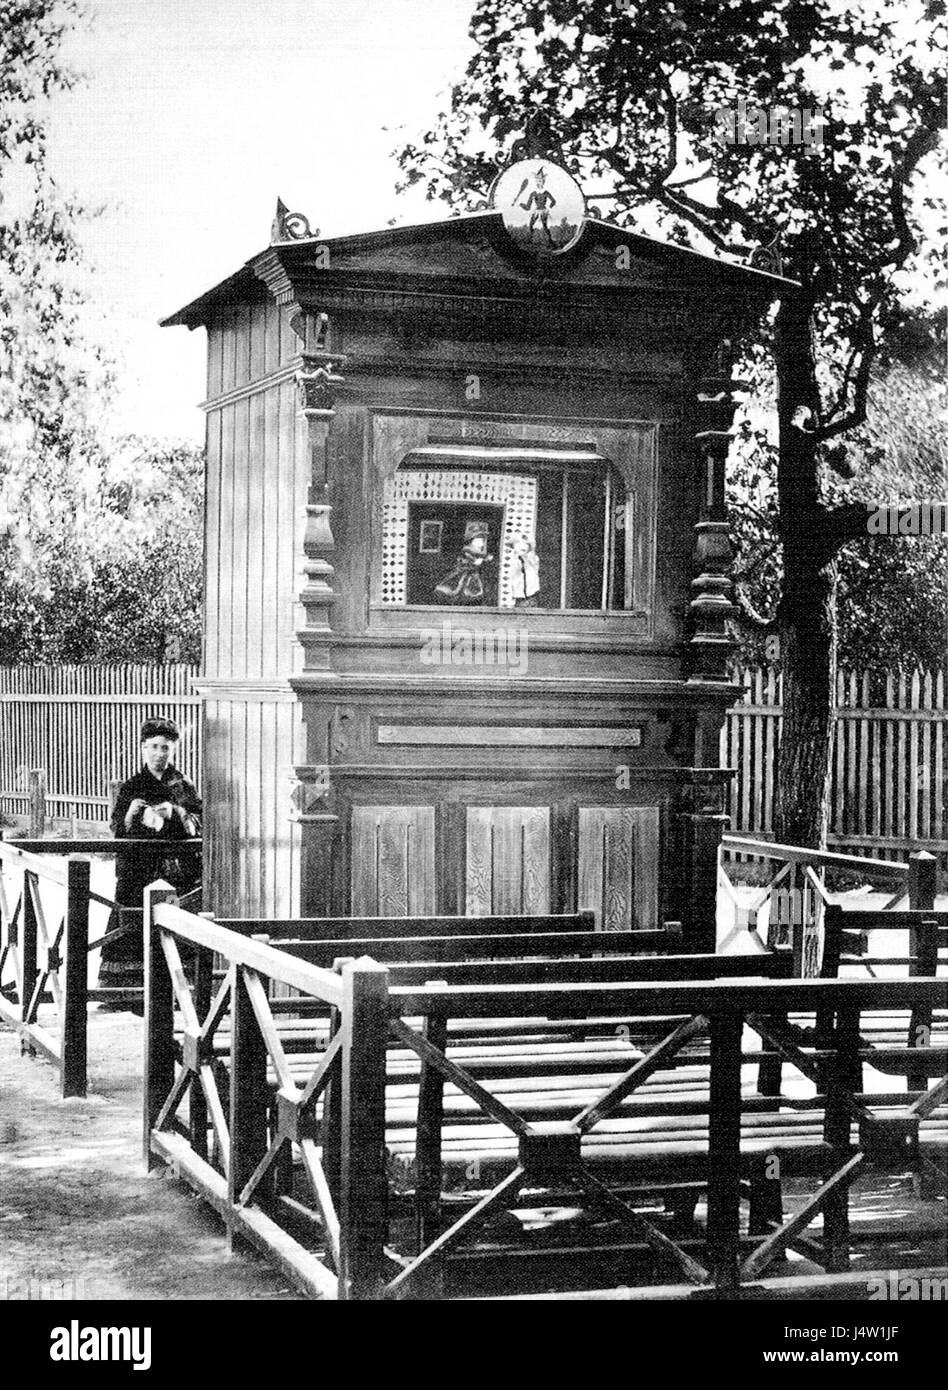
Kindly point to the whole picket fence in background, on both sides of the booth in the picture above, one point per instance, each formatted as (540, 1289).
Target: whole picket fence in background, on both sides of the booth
(890, 775)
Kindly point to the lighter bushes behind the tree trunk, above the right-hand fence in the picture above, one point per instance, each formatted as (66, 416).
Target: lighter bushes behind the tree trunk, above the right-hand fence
(893, 596)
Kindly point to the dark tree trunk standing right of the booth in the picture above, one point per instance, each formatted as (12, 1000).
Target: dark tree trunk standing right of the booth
(807, 612)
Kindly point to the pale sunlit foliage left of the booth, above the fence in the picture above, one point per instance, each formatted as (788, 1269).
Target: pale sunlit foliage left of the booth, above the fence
(99, 537)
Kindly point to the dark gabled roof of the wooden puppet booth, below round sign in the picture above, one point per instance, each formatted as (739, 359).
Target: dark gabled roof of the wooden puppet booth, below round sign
(389, 254)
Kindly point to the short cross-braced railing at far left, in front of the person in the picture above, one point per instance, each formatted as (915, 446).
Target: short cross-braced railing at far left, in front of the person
(45, 946)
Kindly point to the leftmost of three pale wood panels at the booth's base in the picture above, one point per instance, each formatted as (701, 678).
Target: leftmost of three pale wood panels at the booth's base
(393, 861)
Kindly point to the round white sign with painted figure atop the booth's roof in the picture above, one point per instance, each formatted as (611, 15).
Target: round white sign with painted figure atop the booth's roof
(543, 206)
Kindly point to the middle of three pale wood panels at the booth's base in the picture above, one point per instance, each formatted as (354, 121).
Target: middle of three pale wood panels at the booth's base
(508, 860)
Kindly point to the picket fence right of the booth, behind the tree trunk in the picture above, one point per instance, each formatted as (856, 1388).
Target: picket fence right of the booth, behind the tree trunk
(889, 792)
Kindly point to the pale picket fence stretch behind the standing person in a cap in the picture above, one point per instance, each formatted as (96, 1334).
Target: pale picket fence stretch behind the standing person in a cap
(81, 726)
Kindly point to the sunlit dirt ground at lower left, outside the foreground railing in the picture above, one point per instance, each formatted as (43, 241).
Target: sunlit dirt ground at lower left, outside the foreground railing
(79, 1216)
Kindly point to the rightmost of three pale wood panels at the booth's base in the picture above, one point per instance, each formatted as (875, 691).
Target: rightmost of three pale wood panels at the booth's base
(619, 867)
